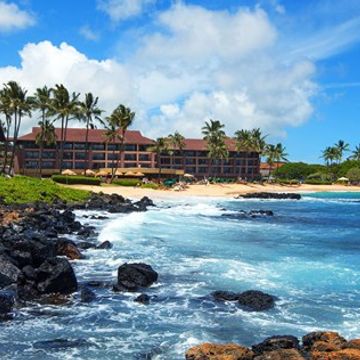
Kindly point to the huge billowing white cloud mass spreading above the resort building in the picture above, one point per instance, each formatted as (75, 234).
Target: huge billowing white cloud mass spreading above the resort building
(224, 65)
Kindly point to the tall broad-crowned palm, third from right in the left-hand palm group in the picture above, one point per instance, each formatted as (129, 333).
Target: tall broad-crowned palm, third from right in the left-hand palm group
(65, 106)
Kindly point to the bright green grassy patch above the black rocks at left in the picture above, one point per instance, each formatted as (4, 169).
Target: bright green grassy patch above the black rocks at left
(21, 189)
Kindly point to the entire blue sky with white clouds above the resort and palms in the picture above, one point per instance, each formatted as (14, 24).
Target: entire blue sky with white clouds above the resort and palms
(290, 67)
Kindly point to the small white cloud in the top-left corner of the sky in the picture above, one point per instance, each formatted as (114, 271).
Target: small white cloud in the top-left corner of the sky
(13, 18)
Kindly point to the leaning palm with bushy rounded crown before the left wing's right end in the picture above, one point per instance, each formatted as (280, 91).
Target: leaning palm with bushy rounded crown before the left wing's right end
(121, 118)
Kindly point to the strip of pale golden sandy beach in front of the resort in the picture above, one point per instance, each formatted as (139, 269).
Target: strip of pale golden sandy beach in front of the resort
(213, 190)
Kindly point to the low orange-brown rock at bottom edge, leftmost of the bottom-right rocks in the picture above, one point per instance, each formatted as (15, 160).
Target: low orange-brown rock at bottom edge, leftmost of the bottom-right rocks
(209, 351)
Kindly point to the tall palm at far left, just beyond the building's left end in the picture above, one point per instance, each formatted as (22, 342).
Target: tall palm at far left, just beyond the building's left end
(19, 105)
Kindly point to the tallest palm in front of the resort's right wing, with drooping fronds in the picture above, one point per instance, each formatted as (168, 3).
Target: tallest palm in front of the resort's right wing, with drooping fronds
(215, 136)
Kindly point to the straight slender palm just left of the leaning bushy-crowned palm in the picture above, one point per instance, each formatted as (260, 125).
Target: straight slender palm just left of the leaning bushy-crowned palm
(89, 113)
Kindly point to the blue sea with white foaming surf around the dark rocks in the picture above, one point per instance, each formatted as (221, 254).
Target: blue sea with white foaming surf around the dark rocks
(307, 254)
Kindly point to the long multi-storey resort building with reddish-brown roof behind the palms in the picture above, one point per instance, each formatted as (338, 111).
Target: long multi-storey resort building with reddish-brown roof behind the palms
(193, 159)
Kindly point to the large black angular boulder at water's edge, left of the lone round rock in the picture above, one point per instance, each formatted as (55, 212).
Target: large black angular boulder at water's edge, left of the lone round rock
(56, 275)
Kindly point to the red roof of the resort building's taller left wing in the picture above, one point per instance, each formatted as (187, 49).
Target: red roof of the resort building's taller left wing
(95, 136)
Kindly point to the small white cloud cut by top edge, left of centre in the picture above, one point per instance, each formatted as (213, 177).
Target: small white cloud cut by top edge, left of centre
(123, 9)
